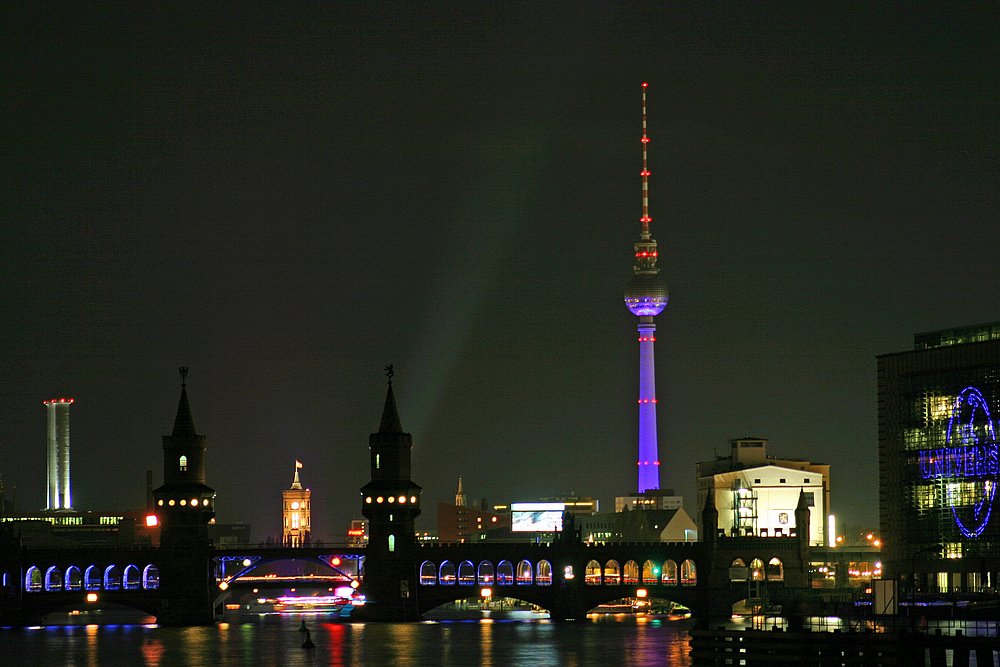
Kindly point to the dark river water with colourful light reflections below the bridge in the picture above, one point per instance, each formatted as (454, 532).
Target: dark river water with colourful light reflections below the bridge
(527, 641)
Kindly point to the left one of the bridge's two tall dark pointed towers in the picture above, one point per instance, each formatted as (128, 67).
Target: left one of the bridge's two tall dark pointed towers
(184, 507)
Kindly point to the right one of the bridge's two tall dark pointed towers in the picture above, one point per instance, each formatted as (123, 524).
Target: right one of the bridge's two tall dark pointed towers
(390, 502)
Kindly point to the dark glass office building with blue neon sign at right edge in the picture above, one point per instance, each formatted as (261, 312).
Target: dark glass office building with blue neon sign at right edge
(938, 460)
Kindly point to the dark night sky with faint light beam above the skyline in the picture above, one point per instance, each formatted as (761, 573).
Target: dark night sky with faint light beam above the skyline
(286, 200)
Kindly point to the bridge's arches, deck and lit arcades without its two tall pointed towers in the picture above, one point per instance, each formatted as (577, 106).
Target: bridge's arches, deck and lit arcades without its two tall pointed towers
(566, 578)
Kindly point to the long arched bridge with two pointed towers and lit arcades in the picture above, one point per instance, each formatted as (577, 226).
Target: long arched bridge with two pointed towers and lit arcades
(186, 579)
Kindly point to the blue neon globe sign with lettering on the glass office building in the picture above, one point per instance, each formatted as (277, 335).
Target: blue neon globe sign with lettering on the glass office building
(969, 456)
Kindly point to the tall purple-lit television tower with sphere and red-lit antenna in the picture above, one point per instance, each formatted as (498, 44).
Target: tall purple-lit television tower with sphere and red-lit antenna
(646, 297)
